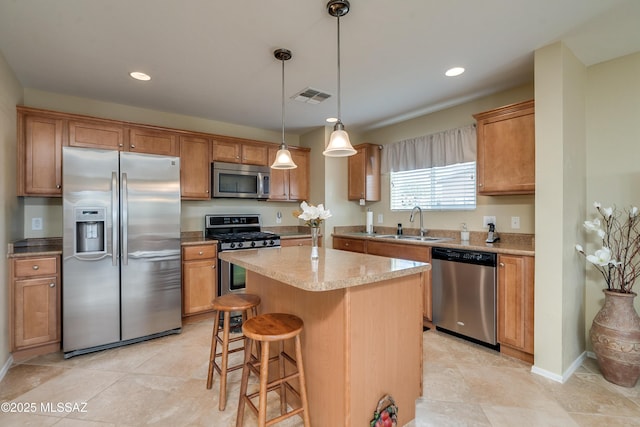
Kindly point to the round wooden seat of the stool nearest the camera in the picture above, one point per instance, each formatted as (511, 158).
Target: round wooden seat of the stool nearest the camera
(272, 327)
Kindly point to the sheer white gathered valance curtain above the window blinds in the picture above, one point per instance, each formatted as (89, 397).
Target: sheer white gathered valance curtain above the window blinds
(439, 149)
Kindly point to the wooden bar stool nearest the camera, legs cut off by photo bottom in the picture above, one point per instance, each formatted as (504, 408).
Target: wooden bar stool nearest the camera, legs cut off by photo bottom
(263, 330)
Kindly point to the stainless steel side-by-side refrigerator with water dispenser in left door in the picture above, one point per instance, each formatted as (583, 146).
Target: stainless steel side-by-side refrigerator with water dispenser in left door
(121, 248)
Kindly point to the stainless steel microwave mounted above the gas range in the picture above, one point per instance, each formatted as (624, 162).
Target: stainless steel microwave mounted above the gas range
(234, 180)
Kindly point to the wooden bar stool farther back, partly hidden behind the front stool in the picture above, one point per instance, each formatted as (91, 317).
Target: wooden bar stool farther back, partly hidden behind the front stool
(247, 303)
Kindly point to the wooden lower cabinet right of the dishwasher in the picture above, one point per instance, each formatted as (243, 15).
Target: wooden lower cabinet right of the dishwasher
(516, 305)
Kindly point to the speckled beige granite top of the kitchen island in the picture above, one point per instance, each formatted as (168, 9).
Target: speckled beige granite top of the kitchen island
(333, 270)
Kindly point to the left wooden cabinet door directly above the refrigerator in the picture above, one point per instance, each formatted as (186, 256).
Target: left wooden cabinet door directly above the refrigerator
(96, 134)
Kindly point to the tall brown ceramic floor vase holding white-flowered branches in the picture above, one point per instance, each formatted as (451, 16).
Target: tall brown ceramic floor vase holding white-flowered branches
(615, 336)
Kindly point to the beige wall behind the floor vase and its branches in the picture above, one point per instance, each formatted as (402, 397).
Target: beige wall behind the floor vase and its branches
(613, 152)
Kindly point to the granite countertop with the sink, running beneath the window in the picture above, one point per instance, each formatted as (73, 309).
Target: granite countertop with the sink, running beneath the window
(509, 243)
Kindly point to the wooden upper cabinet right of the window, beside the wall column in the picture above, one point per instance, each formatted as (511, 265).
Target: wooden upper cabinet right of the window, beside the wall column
(506, 150)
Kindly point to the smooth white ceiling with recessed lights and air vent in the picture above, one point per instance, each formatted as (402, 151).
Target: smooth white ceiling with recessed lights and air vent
(214, 59)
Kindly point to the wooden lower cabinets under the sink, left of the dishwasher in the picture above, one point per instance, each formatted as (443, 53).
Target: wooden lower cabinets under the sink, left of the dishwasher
(394, 250)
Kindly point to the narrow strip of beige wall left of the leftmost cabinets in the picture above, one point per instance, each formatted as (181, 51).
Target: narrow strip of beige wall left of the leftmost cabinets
(10, 205)
